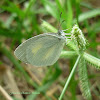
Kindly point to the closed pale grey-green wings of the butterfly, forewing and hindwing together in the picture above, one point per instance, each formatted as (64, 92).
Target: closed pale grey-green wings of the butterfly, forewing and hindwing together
(33, 50)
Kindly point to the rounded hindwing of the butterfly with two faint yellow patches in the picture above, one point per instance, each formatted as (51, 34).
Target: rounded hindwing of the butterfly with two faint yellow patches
(45, 51)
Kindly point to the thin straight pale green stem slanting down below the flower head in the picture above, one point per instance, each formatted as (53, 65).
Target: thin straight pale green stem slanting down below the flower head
(69, 78)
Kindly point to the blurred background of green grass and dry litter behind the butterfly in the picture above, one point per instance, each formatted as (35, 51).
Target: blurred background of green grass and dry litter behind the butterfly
(22, 19)
